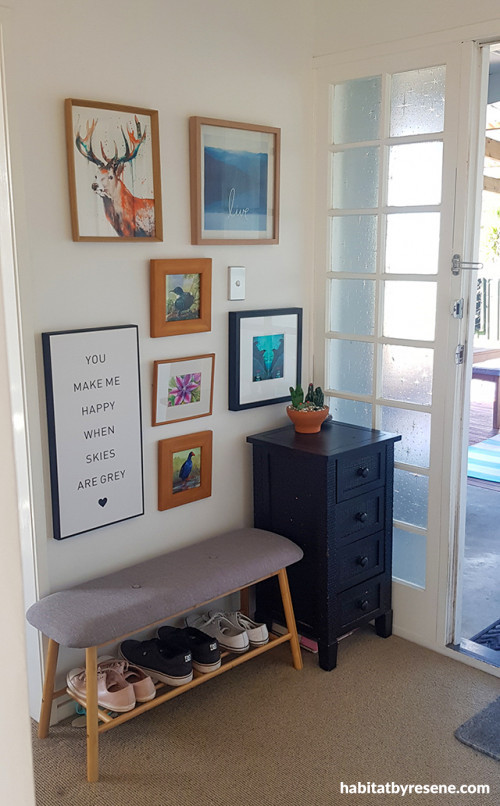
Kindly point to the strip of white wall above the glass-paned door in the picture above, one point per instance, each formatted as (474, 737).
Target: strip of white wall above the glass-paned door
(341, 26)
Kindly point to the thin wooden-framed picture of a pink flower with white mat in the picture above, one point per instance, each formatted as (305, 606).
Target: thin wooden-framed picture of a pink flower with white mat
(183, 388)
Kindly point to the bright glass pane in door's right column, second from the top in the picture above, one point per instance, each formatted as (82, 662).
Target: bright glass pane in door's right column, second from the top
(415, 174)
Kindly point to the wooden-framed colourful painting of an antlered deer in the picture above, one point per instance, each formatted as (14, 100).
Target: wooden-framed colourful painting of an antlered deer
(114, 172)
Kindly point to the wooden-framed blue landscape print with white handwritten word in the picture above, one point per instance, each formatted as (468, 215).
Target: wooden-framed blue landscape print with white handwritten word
(235, 182)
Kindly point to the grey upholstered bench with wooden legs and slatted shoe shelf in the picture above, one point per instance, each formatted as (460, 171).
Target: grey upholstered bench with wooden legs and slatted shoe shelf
(108, 609)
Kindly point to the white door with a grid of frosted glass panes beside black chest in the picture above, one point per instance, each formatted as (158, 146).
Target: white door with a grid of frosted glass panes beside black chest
(393, 179)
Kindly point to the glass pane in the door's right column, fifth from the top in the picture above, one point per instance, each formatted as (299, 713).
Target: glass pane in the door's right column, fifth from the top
(407, 374)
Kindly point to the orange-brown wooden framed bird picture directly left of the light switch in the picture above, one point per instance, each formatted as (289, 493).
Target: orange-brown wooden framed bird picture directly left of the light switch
(180, 305)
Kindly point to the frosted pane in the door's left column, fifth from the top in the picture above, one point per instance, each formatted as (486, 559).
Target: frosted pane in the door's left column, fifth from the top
(350, 366)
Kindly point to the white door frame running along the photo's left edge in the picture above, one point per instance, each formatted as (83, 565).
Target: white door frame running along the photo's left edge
(17, 783)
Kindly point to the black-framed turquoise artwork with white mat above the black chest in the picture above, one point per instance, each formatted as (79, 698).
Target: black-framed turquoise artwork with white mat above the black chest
(256, 378)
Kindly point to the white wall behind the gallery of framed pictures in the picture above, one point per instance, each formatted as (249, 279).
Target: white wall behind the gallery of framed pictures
(247, 62)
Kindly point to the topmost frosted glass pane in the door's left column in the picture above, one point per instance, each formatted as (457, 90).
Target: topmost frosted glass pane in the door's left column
(356, 110)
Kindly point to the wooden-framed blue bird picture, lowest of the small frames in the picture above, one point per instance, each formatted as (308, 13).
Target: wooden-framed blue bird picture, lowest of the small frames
(177, 486)
